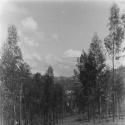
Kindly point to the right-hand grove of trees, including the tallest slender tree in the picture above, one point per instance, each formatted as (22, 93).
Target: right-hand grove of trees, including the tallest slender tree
(102, 92)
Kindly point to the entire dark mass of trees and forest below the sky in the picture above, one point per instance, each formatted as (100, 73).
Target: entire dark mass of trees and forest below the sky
(96, 91)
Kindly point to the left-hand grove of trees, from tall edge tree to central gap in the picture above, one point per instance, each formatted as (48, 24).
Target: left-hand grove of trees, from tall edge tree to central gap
(27, 98)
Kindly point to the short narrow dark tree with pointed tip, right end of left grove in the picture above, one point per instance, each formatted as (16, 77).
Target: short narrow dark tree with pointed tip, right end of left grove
(48, 90)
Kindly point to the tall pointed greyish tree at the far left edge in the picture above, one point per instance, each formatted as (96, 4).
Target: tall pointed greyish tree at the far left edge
(10, 58)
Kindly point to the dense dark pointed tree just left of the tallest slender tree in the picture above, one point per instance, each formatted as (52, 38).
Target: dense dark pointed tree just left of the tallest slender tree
(91, 68)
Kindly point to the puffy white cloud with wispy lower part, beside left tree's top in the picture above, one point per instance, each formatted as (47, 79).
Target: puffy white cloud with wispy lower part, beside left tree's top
(28, 32)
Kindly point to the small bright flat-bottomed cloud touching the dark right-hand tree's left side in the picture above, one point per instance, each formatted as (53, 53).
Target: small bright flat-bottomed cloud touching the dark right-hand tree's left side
(72, 53)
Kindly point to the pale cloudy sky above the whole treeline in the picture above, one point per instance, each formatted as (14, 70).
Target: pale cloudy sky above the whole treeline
(55, 32)
